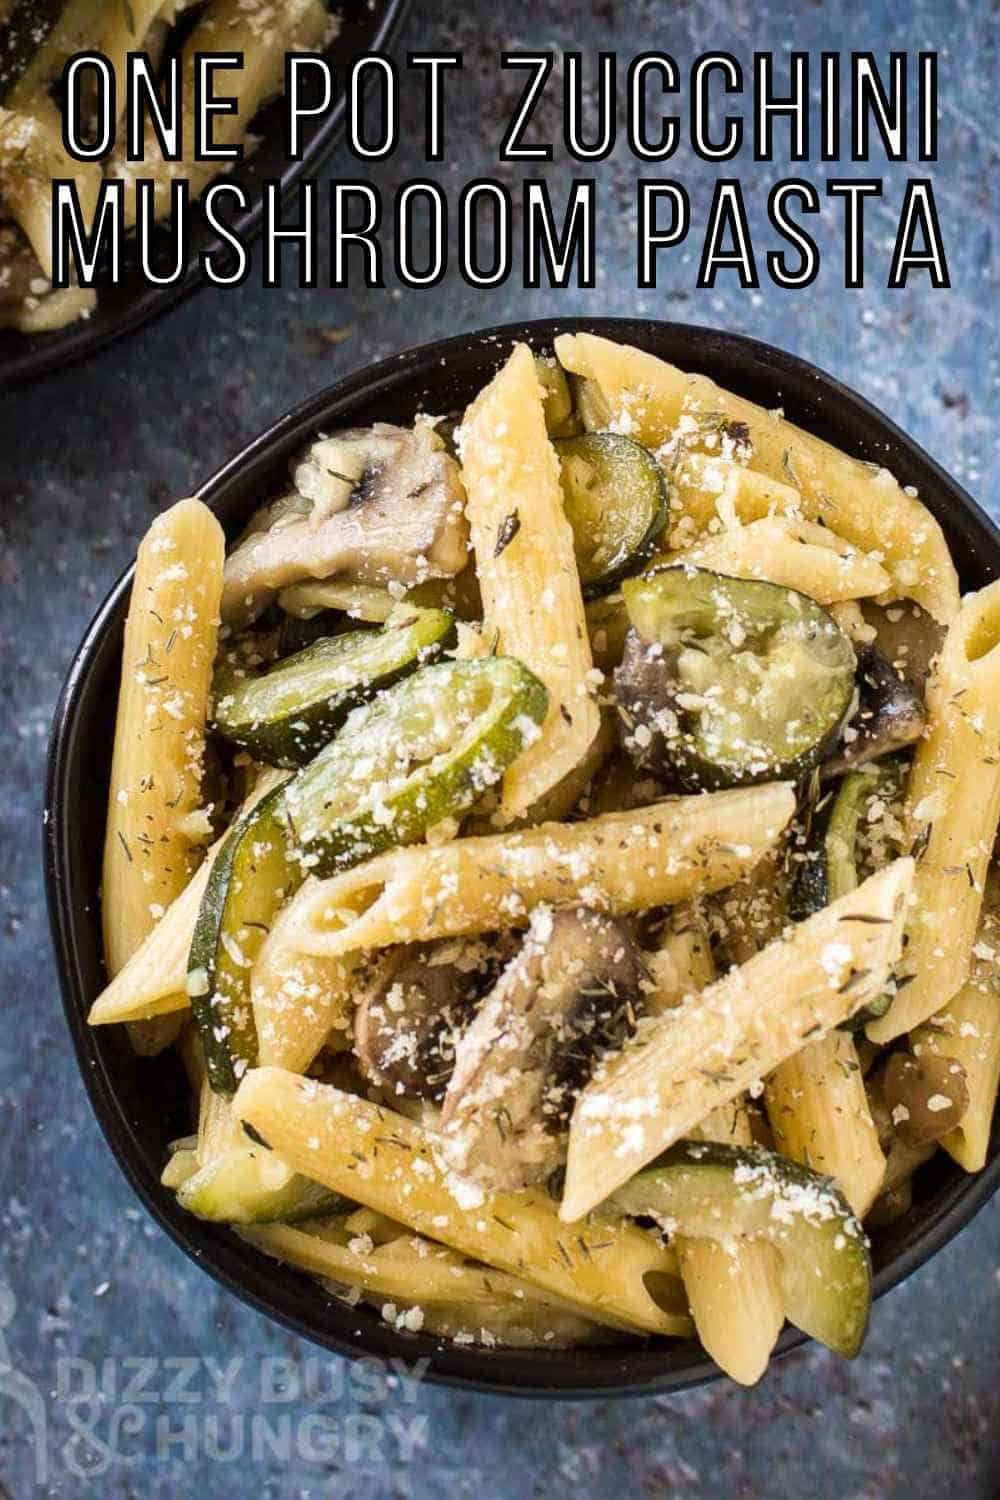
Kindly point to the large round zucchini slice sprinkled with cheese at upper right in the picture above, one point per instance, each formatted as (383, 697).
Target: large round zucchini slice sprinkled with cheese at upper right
(729, 682)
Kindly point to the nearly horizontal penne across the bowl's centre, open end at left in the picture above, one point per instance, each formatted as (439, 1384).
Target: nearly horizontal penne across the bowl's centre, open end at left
(618, 863)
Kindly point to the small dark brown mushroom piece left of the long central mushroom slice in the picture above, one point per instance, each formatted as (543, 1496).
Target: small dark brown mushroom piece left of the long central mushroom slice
(406, 1028)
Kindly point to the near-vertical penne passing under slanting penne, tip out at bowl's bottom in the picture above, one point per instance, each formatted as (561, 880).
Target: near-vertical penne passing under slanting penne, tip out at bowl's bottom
(734, 1288)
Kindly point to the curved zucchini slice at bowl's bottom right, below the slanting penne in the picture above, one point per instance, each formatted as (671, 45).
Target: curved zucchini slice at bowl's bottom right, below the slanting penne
(711, 1192)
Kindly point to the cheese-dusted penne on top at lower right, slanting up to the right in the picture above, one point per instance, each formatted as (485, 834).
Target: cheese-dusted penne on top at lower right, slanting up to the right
(716, 1045)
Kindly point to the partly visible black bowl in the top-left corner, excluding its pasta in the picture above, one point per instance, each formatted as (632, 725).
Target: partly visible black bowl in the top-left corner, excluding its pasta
(367, 26)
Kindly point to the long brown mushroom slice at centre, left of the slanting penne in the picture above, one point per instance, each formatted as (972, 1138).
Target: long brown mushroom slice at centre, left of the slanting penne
(572, 994)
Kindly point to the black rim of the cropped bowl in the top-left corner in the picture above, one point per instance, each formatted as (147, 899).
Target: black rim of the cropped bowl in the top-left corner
(28, 358)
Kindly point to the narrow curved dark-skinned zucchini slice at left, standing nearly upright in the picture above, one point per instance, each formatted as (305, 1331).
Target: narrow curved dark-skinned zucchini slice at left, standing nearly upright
(254, 872)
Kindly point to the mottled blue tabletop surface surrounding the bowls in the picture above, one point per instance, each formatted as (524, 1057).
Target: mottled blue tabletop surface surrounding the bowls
(89, 457)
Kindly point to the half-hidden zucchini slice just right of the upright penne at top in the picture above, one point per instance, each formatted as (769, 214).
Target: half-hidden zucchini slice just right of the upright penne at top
(615, 502)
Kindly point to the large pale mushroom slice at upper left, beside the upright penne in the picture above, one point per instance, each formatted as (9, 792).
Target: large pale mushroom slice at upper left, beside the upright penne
(377, 506)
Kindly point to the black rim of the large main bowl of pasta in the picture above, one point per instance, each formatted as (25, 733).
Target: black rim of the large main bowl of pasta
(493, 1372)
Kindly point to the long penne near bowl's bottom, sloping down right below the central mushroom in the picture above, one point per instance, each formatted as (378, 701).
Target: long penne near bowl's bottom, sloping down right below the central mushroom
(388, 1163)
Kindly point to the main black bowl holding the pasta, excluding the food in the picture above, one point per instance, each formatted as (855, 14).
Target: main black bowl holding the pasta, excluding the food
(142, 1106)
